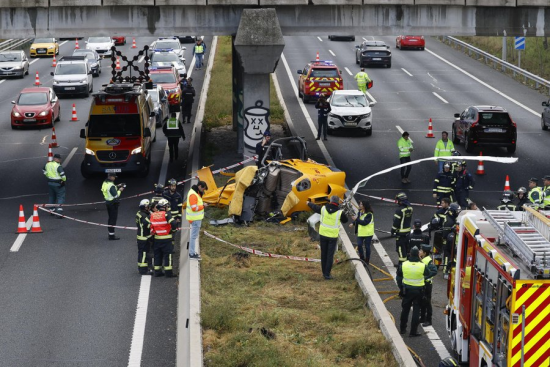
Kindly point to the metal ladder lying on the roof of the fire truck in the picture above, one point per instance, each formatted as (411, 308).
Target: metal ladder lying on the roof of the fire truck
(523, 239)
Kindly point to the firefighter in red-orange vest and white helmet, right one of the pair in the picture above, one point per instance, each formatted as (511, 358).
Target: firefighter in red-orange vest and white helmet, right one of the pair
(162, 227)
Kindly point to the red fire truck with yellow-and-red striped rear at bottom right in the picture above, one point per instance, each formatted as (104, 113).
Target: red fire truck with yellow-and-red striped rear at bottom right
(498, 312)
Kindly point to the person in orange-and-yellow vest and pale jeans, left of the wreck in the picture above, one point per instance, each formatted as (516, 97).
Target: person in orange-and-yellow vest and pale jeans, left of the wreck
(194, 213)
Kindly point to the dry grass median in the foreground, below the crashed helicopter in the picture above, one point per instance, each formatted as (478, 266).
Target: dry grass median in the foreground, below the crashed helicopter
(260, 311)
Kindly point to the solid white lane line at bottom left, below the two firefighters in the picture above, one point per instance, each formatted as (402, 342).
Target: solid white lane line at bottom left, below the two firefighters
(138, 335)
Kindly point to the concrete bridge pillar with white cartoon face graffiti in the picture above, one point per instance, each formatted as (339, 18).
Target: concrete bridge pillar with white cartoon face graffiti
(258, 44)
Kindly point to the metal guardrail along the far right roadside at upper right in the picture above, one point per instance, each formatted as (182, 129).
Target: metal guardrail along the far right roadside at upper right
(506, 67)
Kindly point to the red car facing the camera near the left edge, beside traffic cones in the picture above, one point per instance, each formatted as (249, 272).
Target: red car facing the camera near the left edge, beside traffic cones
(37, 106)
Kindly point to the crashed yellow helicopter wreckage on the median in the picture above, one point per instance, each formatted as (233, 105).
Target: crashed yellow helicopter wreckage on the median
(280, 188)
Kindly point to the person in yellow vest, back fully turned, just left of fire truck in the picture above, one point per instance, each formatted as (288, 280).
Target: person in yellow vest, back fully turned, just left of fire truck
(410, 279)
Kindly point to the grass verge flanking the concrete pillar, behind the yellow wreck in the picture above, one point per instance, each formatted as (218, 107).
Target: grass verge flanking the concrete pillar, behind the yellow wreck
(218, 109)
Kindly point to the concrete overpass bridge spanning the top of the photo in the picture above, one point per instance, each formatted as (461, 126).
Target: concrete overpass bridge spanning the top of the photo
(67, 18)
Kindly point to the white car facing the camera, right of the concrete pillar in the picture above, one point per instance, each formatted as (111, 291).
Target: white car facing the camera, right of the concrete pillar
(350, 109)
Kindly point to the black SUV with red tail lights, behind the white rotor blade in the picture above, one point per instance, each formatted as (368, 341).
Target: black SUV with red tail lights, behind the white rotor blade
(485, 126)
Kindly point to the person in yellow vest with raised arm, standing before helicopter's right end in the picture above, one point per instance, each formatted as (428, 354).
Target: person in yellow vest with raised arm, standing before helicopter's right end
(331, 217)
